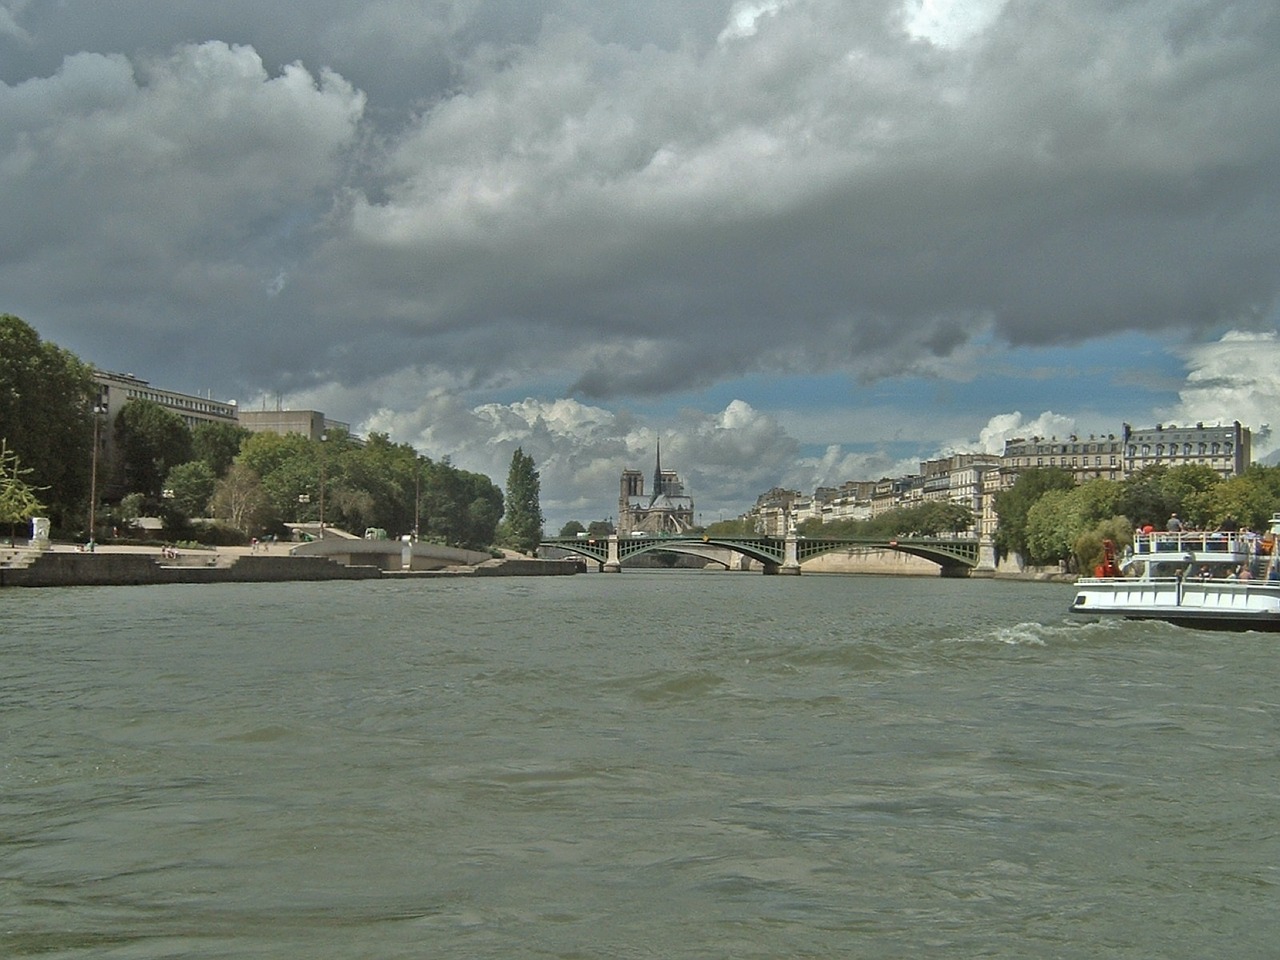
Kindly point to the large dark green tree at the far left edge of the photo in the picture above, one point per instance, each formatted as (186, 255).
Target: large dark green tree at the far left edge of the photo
(47, 401)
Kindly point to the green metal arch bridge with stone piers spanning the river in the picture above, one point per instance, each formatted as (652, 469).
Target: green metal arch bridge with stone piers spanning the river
(783, 555)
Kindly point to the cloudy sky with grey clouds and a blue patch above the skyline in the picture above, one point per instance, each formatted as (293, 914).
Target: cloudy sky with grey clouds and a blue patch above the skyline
(798, 241)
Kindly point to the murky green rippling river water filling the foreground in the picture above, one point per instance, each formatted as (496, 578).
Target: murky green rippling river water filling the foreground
(651, 765)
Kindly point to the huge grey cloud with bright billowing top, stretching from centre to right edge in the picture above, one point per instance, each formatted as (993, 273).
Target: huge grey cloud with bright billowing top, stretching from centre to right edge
(829, 193)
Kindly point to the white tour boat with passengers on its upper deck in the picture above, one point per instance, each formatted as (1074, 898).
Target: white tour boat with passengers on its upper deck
(1219, 580)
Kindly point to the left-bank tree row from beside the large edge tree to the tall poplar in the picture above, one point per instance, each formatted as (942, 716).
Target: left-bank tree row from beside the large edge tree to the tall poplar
(258, 483)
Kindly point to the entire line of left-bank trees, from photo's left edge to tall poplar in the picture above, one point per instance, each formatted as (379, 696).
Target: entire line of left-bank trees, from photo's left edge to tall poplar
(257, 483)
